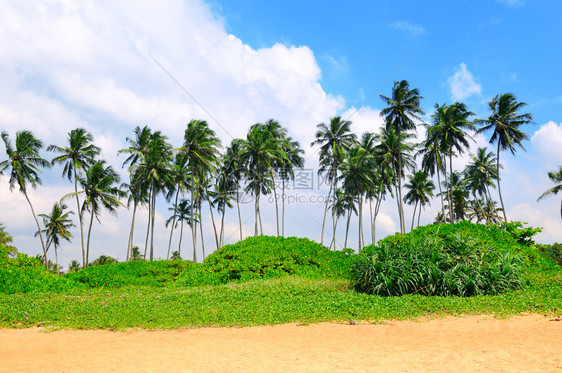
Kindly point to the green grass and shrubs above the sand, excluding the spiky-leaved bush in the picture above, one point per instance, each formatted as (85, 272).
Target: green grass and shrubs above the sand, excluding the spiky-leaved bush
(266, 280)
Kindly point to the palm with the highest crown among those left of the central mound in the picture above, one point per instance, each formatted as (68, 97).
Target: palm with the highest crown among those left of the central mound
(201, 147)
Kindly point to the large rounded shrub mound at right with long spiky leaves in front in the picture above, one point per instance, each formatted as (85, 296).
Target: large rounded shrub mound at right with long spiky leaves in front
(461, 259)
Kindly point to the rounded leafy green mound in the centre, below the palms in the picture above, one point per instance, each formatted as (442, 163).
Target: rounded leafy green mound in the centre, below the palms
(268, 257)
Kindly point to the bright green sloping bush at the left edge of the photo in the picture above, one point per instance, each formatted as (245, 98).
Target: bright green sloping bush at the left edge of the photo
(24, 274)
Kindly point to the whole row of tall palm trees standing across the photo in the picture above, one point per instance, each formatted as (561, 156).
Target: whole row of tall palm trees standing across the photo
(360, 171)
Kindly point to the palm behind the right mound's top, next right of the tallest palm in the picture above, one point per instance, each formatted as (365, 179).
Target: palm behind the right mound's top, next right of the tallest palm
(448, 130)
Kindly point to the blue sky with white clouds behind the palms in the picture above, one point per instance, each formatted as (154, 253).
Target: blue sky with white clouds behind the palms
(70, 64)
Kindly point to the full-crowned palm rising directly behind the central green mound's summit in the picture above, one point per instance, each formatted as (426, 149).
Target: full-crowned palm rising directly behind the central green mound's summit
(259, 151)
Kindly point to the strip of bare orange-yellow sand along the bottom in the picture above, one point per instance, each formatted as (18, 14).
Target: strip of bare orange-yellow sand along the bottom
(469, 344)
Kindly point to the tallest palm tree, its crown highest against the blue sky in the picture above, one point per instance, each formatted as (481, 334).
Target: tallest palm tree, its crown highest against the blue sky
(403, 107)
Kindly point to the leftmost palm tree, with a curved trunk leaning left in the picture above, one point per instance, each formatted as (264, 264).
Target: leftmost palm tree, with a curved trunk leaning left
(25, 162)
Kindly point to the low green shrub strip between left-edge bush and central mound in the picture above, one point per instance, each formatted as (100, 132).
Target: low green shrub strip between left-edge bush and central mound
(134, 273)
